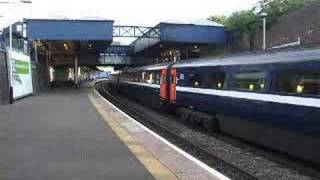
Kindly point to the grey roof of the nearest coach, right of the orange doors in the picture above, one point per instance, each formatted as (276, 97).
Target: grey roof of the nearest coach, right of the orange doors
(254, 58)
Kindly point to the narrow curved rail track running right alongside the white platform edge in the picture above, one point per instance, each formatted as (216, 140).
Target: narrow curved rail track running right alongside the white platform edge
(208, 158)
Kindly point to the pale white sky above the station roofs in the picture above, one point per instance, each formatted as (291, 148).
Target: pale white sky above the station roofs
(124, 12)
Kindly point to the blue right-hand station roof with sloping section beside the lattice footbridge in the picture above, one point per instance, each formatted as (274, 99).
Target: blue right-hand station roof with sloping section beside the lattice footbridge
(183, 34)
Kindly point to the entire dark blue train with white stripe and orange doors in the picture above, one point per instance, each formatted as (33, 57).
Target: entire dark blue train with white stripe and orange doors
(271, 99)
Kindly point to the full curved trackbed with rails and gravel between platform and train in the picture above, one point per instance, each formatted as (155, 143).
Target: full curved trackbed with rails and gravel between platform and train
(231, 156)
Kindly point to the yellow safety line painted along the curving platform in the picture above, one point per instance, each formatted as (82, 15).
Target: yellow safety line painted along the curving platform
(153, 165)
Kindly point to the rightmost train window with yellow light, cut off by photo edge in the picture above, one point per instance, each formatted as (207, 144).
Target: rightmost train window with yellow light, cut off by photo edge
(307, 83)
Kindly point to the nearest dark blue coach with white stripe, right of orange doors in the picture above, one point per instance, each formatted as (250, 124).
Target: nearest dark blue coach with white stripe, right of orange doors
(271, 99)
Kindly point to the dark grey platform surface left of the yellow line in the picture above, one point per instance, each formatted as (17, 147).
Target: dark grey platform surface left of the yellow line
(59, 135)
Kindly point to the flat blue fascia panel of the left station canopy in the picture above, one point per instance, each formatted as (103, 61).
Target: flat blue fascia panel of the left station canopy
(70, 30)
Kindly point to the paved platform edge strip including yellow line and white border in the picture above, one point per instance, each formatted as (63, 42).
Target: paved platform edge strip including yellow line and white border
(181, 164)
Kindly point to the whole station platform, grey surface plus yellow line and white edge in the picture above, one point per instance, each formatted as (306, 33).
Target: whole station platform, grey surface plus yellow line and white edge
(77, 134)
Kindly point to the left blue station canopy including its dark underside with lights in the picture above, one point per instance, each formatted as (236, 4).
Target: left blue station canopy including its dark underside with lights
(66, 39)
